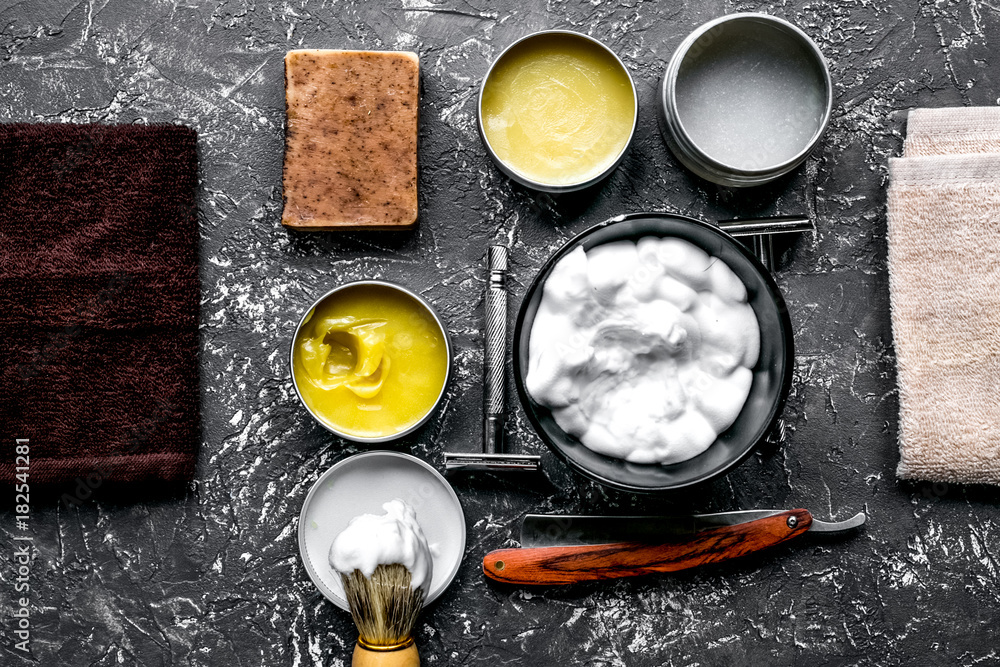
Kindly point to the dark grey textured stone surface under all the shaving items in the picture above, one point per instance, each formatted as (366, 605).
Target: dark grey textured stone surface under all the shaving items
(211, 575)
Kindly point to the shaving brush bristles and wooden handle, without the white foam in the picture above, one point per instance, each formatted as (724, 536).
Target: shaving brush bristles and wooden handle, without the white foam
(385, 607)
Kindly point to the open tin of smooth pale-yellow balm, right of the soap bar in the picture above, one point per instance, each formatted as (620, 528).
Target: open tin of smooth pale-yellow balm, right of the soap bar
(558, 109)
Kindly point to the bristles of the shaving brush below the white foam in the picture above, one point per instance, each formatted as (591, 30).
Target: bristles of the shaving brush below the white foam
(384, 606)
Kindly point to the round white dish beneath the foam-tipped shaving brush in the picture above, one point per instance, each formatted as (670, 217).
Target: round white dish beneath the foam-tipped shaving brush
(360, 484)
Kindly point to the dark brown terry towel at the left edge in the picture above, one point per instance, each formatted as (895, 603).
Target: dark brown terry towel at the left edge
(99, 302)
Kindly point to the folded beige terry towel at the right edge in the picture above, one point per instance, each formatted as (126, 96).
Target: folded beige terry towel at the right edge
(944, 278)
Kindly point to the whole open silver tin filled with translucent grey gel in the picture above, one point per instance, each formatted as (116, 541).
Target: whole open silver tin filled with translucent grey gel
(744, 99)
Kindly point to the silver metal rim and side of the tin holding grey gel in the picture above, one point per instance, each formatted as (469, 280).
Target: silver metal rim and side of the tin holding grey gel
(707, 166)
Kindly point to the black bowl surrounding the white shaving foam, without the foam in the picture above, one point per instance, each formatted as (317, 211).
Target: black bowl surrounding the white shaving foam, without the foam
(772, 375)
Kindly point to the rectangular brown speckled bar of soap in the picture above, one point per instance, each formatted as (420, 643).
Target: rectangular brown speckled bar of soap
(351, 140)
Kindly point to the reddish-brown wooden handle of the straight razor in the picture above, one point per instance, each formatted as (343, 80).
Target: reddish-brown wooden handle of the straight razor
(546, 566)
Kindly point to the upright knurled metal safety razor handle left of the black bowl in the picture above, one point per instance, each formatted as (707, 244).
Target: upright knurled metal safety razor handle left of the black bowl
(495, 351)
